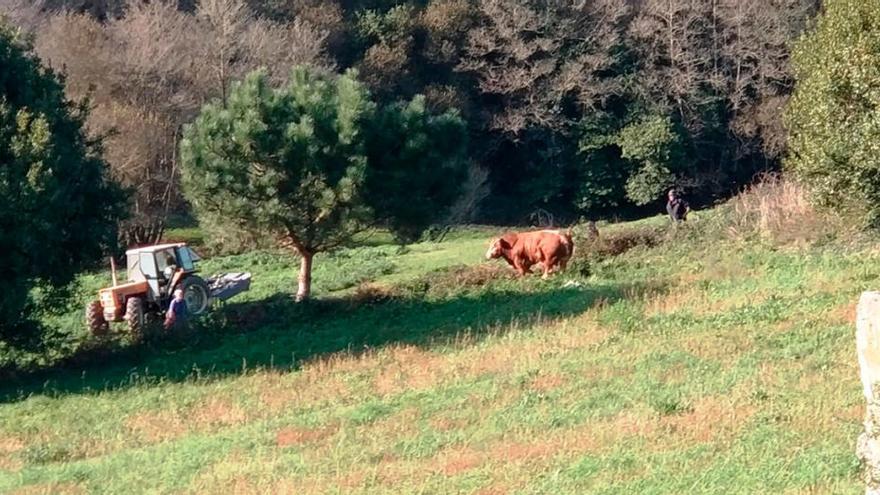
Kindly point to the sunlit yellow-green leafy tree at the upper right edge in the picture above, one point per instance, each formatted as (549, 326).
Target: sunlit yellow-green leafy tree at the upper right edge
(834, 115)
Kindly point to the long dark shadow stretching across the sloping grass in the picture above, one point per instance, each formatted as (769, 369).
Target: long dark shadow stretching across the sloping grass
(280, 334)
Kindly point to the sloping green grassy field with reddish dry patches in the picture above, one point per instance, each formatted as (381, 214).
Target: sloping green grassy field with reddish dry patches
(693, 366)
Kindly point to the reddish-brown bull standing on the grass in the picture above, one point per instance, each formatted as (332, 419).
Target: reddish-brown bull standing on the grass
(550, 248)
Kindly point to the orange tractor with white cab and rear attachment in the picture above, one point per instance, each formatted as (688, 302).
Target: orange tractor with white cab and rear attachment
(154, 273)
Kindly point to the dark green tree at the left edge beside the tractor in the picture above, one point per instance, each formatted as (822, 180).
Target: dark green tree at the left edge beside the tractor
(59, 209)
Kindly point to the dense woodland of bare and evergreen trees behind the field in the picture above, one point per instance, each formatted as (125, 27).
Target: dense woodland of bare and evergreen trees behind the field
(587, 108)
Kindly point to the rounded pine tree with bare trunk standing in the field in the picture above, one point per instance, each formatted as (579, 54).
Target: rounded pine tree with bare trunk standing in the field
(314, 162)
